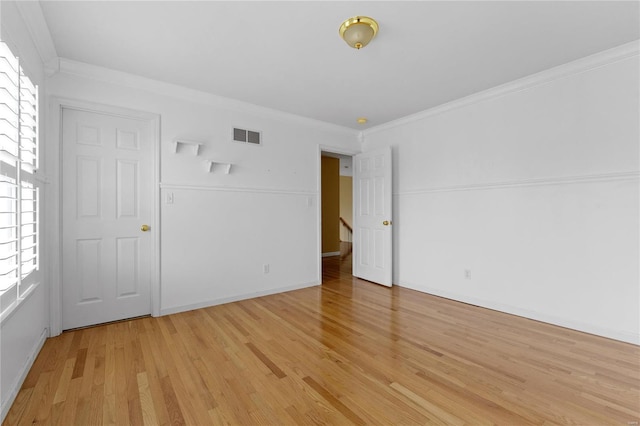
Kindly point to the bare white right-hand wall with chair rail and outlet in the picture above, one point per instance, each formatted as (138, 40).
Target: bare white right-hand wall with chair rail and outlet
(534, 191)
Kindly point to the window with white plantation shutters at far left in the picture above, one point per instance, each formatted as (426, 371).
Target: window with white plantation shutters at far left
(19, 193)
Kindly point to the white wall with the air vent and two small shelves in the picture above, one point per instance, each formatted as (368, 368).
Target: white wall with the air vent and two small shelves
(221, 229)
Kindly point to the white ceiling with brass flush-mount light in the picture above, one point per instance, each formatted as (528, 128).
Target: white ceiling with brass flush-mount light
(288, 55)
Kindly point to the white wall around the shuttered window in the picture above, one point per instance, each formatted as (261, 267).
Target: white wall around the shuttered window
(23, 332)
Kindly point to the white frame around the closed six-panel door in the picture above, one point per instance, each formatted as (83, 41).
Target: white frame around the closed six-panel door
(53, 200)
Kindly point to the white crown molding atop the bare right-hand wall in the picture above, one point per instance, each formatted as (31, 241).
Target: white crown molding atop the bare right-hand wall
(578, 66)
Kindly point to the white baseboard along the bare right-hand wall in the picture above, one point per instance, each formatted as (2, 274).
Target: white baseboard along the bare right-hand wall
(525, 313)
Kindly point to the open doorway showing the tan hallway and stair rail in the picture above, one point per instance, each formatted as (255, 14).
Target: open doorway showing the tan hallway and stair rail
(336, 216)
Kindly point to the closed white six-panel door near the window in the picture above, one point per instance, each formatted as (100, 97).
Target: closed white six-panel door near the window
(107, 195)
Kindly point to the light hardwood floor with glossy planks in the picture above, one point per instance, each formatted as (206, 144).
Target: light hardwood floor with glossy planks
(346, 352)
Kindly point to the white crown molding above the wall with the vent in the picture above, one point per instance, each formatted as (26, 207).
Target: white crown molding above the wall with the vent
(106, 75)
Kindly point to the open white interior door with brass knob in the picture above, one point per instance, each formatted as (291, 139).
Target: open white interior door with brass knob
(372, 247)
